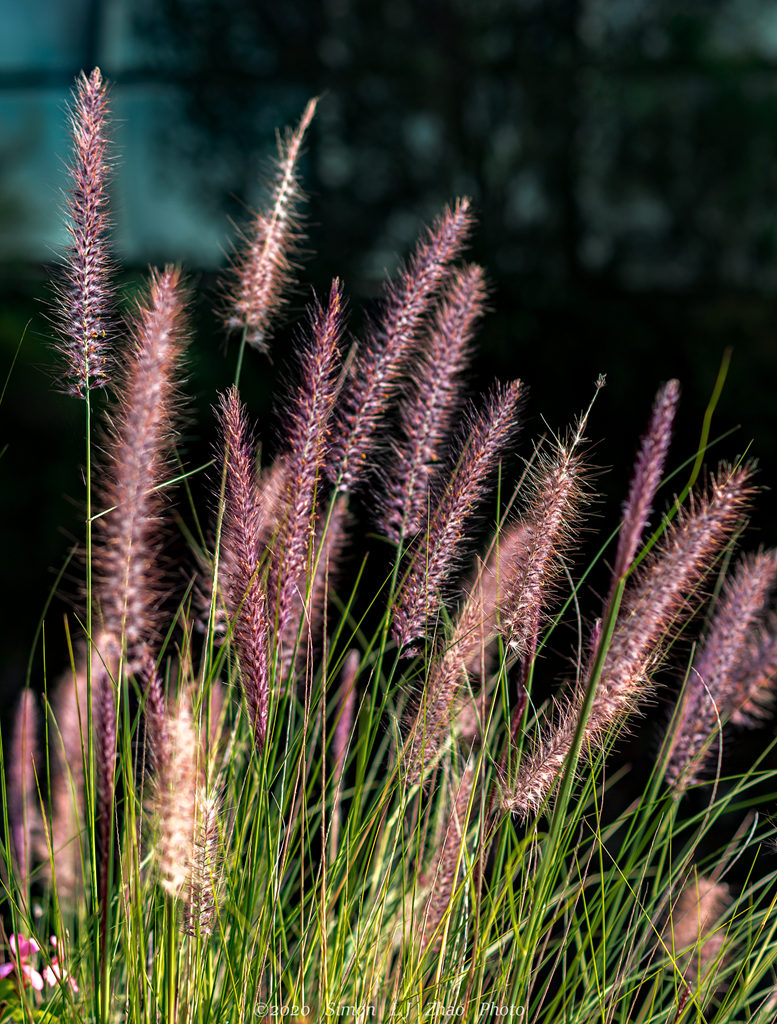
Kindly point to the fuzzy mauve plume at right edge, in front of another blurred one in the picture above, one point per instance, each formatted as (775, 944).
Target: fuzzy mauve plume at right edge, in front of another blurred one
(712, 693)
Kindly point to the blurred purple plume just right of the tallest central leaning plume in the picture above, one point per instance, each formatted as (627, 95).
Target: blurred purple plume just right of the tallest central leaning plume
(427, 412)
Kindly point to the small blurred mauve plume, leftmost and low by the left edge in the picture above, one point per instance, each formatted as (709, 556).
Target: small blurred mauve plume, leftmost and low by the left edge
(24, 766)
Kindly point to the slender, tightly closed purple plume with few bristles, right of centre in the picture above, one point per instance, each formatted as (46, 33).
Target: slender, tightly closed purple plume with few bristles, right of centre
(647, 477)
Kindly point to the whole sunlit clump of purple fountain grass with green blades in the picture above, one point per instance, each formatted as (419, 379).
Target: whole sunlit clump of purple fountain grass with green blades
(306, 776)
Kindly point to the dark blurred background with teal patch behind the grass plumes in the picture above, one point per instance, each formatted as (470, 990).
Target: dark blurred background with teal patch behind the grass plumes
(622, 156)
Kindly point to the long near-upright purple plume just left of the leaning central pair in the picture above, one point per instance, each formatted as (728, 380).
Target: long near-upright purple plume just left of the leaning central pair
(308, 449)
